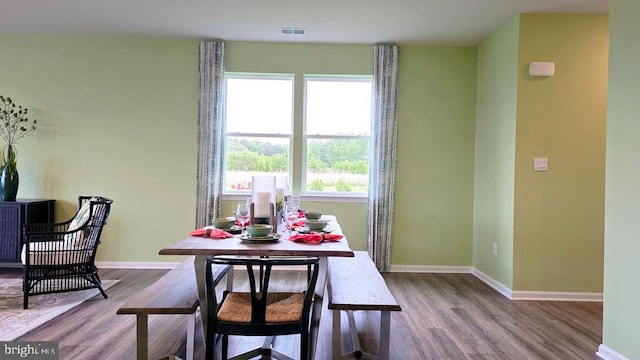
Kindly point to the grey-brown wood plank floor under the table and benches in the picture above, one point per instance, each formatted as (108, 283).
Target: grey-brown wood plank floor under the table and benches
(445, 316)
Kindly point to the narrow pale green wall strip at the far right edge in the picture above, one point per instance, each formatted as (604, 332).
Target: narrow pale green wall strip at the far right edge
(621, 329)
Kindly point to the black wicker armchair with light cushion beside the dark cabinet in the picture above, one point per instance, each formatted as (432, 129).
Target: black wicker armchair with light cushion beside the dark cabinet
(59, 257)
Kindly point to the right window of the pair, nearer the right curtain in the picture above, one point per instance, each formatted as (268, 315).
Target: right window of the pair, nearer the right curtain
(337, 134)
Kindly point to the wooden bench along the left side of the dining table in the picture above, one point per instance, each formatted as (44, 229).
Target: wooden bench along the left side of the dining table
(176, 292)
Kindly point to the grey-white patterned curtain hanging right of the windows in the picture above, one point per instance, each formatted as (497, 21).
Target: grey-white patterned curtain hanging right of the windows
(383, 154)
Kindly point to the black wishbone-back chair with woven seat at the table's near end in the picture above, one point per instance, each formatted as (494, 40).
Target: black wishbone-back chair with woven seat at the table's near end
(260, 312)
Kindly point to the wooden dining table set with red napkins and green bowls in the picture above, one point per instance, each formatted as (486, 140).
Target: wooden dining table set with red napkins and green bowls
(203, 247)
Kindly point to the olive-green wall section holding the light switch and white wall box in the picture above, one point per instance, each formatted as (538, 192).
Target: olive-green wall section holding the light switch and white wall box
(559, 214)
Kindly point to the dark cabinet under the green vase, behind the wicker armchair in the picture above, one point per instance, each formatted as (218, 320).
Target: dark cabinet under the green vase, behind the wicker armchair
(13, 214)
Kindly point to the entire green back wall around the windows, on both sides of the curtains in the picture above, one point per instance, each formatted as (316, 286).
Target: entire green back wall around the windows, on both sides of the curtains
(118, 118)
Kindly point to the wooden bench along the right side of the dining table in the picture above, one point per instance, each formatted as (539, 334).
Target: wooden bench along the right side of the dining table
(355, 284)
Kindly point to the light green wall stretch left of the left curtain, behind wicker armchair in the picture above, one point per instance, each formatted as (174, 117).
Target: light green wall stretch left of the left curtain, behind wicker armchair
(117, 119)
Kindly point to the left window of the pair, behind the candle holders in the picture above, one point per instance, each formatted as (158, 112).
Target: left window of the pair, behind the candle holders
(259, 115)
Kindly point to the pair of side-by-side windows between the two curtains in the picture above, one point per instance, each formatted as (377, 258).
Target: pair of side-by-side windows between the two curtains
(331, 138)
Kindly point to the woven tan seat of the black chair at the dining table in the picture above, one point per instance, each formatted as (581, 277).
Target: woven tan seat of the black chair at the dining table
(281, 307)
